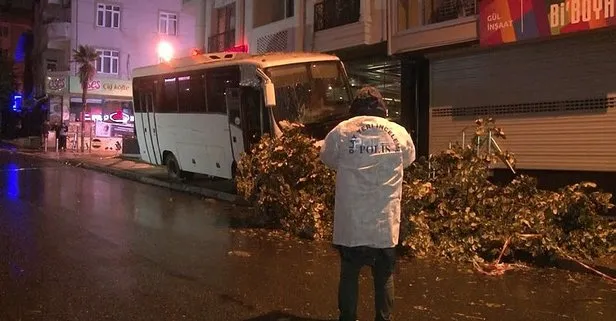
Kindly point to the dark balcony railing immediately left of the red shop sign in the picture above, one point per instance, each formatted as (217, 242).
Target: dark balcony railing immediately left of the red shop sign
(436, 11)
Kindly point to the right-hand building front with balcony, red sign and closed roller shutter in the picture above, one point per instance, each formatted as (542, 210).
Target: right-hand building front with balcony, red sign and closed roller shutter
(542, 71)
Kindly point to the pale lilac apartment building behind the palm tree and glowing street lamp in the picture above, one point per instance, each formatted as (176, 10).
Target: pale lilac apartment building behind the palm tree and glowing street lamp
(126, 34)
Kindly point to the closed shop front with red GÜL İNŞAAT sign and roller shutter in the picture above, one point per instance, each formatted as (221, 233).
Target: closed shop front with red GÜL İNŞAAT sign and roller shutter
(545, 72)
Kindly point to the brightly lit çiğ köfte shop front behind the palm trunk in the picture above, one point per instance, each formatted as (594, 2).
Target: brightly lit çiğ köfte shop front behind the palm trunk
(109, 116)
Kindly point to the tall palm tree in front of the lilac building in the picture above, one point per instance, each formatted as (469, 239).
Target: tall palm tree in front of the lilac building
(85, 57)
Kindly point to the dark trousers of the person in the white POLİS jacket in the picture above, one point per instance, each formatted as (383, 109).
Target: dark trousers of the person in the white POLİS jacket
(382, 262)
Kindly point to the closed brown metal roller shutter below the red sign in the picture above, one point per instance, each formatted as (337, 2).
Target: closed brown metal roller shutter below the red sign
(556, 100)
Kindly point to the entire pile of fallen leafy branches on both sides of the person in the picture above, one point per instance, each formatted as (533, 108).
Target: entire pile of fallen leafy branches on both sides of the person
(451, 209)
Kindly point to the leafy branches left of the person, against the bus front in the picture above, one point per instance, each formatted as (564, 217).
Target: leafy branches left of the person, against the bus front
(289, 185)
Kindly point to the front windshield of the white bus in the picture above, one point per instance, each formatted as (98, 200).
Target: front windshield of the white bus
(310, 92)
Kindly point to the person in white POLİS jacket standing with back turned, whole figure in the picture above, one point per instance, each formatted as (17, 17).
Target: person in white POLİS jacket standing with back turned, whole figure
(369, 154)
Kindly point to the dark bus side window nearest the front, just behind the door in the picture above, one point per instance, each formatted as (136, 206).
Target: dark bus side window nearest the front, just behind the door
(217, 81)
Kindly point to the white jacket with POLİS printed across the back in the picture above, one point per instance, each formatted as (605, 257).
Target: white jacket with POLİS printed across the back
(369, 155)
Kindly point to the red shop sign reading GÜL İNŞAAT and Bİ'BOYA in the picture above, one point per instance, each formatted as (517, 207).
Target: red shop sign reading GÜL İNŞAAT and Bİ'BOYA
(505, 21)
